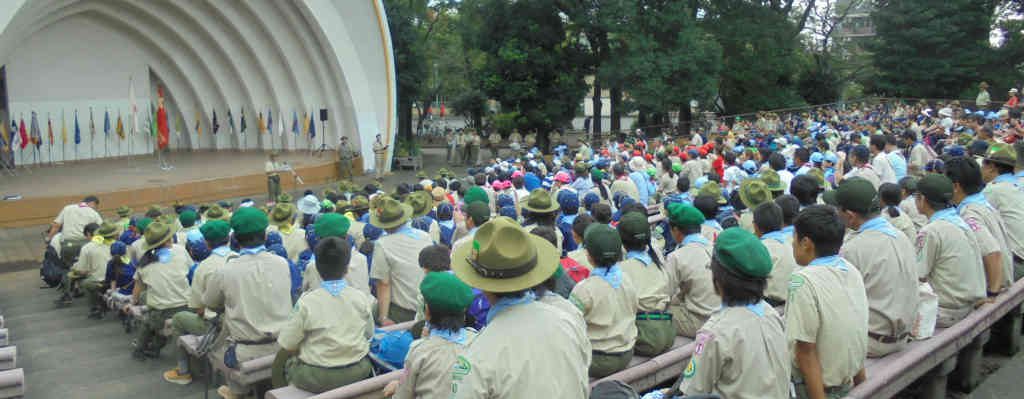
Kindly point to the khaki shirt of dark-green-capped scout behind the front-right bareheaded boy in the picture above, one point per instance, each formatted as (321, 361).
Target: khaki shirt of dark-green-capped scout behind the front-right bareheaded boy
(888, 268)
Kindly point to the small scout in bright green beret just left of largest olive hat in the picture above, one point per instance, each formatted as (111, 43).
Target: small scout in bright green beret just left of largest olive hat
(429, 366)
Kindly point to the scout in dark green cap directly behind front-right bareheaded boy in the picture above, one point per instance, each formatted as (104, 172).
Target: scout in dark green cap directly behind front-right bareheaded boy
(885, 258)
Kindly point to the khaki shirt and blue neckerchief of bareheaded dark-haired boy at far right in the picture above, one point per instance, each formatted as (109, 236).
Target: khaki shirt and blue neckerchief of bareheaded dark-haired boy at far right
(992, 234)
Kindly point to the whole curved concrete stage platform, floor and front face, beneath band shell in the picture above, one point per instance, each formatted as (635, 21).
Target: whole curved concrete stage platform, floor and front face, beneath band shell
(138, 183)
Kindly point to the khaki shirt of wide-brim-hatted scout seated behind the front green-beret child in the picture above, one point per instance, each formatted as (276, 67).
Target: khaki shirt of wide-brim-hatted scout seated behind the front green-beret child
(397, 260)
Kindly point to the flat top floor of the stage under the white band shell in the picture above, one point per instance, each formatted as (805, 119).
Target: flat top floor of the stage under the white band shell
(99, 176)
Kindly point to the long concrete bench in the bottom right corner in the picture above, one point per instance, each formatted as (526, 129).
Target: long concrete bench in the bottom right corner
(953, 353)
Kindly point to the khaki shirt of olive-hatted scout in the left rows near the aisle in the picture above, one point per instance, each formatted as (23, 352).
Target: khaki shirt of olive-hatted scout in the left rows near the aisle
(167, 284)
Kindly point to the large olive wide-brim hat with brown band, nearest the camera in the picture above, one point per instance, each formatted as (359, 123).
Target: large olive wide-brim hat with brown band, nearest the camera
(505, 258)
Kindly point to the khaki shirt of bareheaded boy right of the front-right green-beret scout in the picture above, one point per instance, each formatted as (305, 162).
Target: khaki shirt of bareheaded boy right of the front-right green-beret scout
(828, 307)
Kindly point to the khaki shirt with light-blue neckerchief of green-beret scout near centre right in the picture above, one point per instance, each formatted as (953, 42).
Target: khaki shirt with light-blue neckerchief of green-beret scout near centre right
(695, 299)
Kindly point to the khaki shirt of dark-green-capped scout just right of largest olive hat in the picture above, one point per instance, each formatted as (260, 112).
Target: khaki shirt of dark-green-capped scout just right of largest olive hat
(611, 314)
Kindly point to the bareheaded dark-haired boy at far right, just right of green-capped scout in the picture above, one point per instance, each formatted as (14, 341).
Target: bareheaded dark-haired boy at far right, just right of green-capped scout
(985, 220)
